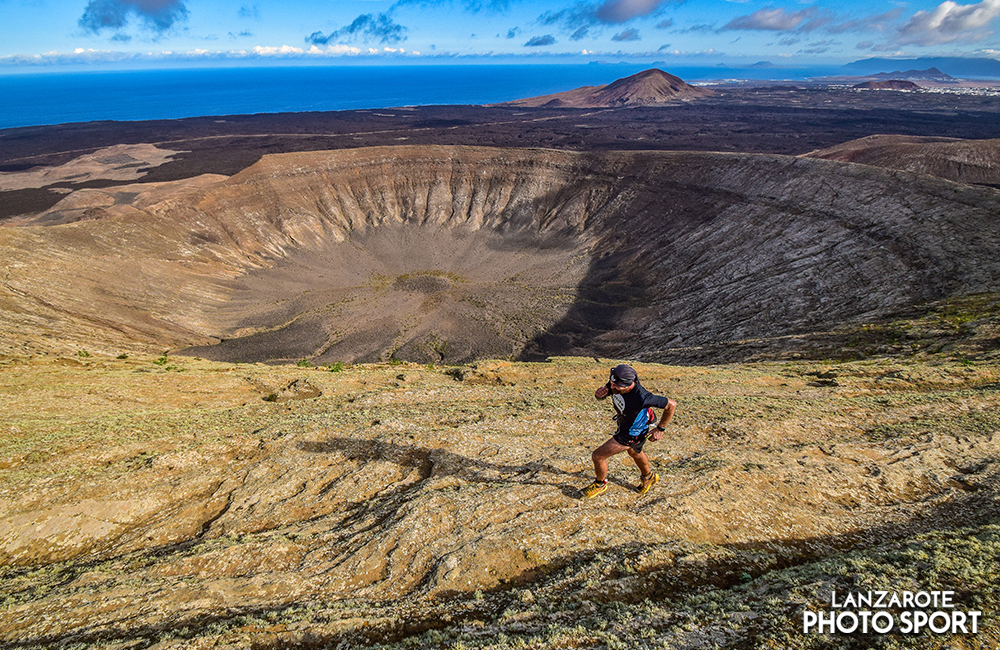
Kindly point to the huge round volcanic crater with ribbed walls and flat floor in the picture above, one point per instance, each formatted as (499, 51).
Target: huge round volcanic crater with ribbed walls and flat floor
(443, 254)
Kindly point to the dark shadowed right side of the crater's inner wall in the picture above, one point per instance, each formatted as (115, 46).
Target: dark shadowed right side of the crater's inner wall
(720, 258)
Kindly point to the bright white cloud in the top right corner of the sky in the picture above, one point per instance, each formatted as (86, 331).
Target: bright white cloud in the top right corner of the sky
(950, 22)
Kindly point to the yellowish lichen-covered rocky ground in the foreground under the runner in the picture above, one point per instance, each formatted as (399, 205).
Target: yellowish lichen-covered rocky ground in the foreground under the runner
(178, 503)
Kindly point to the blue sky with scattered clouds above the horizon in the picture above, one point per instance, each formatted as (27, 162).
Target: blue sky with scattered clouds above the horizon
(169, 33)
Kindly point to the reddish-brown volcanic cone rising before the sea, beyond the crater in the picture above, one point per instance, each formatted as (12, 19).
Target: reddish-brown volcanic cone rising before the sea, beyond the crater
(646, 88)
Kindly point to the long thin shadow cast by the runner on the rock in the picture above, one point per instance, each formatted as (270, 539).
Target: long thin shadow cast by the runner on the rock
(440, 462)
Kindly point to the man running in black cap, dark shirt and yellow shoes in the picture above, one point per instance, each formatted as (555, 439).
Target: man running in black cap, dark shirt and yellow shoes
(634, 413)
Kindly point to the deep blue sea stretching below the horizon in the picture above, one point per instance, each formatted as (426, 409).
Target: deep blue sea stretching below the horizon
(33, 99)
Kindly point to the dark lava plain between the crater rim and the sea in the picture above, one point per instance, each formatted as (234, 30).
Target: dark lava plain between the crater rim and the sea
(782, 120)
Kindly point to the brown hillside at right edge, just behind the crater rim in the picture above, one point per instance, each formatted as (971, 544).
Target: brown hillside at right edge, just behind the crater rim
(963, 161)
